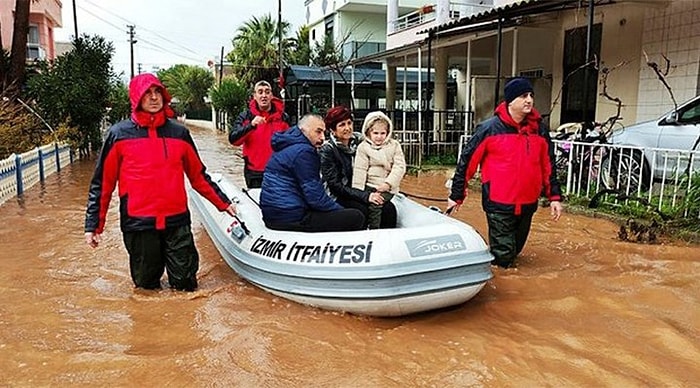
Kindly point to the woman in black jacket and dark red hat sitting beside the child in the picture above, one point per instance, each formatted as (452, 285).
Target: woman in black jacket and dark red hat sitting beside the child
(337, 155)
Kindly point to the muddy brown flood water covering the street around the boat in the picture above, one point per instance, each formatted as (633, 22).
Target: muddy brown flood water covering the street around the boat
(581, 309)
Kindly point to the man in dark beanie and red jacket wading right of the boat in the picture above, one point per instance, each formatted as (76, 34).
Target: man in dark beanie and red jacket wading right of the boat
(516, 156)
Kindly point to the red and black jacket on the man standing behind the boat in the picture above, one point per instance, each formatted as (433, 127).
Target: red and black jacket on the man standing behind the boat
(256, 141)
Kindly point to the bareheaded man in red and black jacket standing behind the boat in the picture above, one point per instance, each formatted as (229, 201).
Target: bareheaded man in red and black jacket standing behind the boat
(253, 130)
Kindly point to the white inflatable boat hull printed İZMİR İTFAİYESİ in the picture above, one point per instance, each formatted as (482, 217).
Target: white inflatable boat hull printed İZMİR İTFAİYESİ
(430, 261)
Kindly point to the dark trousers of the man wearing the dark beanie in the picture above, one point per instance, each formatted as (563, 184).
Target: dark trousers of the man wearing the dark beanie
(507, 236)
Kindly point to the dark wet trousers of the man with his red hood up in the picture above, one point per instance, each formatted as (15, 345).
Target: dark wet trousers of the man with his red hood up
(153, 251)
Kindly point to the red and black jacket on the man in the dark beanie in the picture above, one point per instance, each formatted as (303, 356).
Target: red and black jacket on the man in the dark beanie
(517, 164)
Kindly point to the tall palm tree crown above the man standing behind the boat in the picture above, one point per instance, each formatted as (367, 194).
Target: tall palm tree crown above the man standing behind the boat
(255, 53)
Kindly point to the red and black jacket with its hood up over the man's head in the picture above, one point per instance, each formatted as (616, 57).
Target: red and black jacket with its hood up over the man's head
(149, 163)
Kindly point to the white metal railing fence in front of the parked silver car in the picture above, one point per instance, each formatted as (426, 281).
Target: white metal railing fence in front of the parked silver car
(663, 180)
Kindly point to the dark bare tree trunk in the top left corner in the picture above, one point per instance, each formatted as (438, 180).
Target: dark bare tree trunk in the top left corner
(18, 58)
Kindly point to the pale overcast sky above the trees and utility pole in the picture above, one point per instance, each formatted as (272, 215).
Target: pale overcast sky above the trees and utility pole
(170, 31)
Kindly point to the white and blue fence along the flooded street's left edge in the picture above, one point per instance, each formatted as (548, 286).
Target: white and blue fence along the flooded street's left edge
(20, 172)
